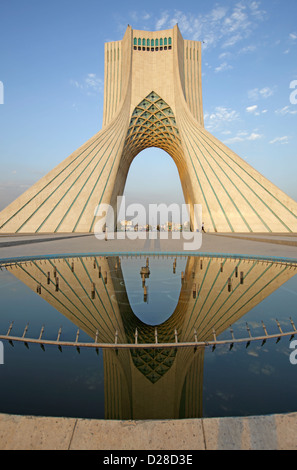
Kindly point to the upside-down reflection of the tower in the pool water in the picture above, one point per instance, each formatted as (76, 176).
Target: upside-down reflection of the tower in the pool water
(153, 383)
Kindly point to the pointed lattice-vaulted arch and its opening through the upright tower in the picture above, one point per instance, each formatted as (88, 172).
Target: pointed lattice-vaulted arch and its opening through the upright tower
(157, 179)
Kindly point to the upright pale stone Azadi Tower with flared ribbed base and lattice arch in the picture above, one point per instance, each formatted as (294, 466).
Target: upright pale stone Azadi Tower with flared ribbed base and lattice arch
(152, 98)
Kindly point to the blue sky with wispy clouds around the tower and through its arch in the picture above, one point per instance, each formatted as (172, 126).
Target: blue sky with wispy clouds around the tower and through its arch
(52, 71)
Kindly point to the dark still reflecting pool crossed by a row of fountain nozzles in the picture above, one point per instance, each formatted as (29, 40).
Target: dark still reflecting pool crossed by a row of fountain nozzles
(133, 298)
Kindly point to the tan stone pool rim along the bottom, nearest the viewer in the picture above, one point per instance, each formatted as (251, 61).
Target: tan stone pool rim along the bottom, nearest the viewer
(269, 432)
